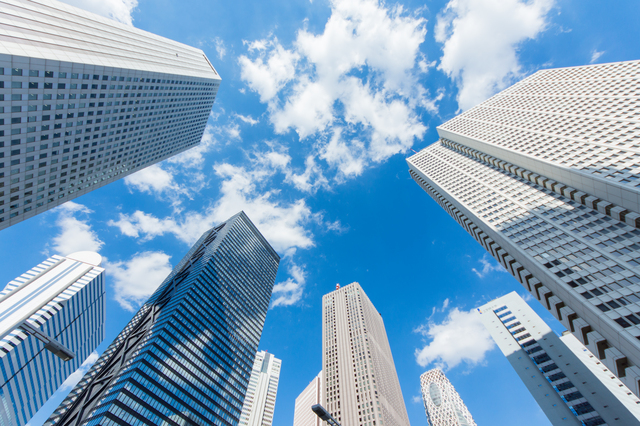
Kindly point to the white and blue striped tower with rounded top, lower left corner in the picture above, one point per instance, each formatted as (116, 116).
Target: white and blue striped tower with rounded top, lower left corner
(51, 319)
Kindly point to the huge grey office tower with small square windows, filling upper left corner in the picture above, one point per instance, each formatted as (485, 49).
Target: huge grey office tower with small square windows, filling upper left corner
(85, 101)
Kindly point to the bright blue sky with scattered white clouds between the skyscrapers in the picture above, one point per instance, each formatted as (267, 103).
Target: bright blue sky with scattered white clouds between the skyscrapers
(320, 104)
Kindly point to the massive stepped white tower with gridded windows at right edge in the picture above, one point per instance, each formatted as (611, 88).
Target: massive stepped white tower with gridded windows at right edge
(543, 175)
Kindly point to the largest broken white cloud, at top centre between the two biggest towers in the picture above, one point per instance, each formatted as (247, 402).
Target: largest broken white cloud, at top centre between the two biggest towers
(358, 77)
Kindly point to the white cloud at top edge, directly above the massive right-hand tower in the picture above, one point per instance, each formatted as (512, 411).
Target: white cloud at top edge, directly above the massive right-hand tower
(481, 39)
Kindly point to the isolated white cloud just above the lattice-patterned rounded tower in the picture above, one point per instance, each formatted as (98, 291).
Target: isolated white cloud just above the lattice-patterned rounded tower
(460, 338)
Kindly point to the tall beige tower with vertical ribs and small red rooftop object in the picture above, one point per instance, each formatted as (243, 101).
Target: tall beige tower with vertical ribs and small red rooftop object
(361, 387)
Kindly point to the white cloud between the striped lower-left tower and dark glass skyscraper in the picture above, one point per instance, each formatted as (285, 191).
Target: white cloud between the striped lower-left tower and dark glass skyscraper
(136, 279)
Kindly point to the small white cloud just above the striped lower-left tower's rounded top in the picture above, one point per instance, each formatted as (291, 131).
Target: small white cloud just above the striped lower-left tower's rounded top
(75, 234)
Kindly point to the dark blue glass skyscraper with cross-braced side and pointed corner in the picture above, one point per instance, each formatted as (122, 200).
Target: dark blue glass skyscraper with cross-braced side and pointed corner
(186, 356)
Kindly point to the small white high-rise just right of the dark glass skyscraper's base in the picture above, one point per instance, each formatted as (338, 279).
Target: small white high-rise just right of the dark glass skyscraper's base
(260, 400)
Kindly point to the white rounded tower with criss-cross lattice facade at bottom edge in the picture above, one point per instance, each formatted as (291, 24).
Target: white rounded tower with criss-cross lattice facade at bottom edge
(443, 405)
